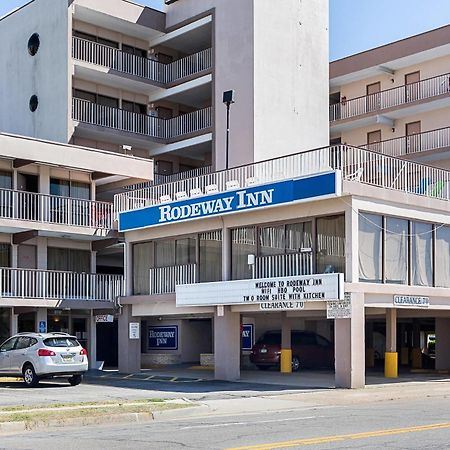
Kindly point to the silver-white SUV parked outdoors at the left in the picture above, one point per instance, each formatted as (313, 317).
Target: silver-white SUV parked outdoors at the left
(36, 356)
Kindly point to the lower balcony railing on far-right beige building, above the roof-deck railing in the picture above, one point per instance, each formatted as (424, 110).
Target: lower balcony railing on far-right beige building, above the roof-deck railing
(406, 145)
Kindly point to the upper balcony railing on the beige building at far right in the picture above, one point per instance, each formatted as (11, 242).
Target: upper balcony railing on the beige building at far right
(401, 95)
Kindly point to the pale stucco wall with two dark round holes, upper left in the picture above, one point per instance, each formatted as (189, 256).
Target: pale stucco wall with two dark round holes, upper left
(45, 74)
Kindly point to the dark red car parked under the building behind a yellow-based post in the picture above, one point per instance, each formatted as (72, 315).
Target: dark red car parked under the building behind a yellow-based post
(309, 350)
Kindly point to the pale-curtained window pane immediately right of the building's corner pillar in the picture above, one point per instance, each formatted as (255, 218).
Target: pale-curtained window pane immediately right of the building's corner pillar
(370, 248)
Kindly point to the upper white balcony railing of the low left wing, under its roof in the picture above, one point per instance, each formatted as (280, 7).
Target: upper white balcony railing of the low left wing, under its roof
(20, 205)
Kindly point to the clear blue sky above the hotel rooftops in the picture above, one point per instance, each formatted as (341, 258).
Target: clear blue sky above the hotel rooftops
(357, 25)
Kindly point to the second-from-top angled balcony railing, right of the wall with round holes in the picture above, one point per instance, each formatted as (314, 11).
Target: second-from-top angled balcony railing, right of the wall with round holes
(154, 127)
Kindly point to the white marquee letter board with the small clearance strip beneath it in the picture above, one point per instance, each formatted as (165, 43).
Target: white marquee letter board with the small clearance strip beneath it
(269, 294)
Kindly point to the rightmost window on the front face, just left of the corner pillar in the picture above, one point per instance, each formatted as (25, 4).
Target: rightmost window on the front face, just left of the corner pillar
(330, 244)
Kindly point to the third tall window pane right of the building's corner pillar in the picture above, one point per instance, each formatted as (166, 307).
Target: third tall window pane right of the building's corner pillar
(422, 254)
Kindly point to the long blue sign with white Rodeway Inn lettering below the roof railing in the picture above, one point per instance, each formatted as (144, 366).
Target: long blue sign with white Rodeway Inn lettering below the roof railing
(267, 195)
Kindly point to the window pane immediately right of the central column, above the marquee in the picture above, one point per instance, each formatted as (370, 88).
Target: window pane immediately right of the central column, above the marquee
(243, 243)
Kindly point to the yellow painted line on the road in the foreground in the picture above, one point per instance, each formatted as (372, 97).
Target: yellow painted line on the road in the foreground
(343, 437)
